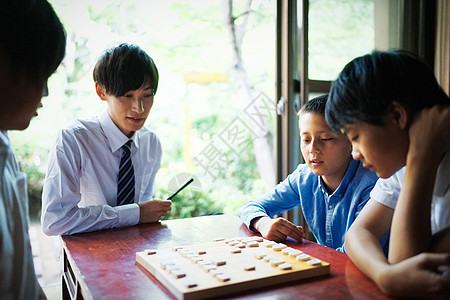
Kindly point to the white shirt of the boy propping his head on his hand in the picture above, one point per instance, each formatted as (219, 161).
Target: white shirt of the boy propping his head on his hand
(387, 191)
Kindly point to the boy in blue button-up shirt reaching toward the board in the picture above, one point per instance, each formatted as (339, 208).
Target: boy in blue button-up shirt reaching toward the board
(331, 187)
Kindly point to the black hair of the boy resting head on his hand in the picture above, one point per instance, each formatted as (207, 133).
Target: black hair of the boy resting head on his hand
(368, 84)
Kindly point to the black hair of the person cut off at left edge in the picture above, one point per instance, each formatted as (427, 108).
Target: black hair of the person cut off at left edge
(32, 38)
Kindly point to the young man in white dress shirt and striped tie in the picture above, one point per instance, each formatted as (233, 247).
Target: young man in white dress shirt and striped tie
(81, 190)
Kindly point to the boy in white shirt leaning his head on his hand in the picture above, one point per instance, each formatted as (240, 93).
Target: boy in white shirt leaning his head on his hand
(395, 114)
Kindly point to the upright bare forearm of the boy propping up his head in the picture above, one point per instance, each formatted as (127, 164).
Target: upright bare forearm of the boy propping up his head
(411, 226)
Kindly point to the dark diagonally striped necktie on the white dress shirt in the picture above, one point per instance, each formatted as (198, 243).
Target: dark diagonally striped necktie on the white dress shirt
(125, 181)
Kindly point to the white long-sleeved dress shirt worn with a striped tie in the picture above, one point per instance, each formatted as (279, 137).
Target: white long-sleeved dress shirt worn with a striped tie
(80, 188)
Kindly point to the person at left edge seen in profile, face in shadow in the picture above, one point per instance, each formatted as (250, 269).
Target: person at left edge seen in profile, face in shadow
(32, 45)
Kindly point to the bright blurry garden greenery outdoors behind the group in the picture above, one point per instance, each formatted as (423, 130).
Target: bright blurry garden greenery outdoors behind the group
(186, 39)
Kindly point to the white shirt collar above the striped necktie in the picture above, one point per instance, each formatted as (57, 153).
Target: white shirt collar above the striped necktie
(115, 137)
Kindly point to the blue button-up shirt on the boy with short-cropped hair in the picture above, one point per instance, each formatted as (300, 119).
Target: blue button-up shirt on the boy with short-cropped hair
(328, 216)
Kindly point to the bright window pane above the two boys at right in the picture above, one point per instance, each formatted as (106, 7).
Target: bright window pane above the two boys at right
(339, 30)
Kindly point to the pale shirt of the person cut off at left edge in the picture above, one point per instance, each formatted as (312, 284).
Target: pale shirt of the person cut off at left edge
(18, 279)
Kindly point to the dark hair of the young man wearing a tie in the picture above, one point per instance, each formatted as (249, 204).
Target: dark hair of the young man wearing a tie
(125, 68)
